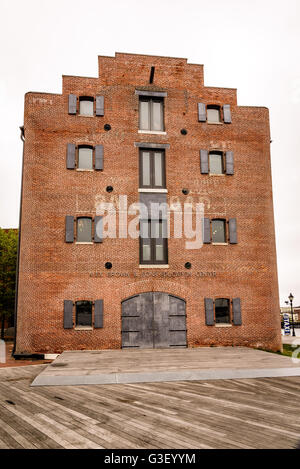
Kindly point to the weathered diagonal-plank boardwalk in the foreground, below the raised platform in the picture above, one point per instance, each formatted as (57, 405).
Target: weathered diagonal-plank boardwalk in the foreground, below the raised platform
(246, 413)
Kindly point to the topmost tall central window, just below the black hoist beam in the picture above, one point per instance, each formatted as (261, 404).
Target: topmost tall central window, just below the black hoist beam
(151, 114)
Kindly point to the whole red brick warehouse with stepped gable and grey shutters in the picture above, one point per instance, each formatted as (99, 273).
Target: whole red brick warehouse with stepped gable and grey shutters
(146, 130)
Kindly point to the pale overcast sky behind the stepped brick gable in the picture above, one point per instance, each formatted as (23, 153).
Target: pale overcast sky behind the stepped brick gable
(251, 45)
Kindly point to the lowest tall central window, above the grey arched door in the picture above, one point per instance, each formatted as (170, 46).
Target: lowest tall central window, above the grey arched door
(153, 242)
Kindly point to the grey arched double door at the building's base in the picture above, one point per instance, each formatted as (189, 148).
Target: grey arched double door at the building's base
(153, 320)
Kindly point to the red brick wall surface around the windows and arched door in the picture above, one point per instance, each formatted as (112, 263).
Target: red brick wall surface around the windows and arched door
(52, 270)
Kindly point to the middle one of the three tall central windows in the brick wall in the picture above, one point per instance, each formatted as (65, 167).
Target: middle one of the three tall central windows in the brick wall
(152, 169)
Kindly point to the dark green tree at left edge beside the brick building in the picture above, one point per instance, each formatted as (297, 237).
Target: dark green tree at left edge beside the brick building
(8, 261)
